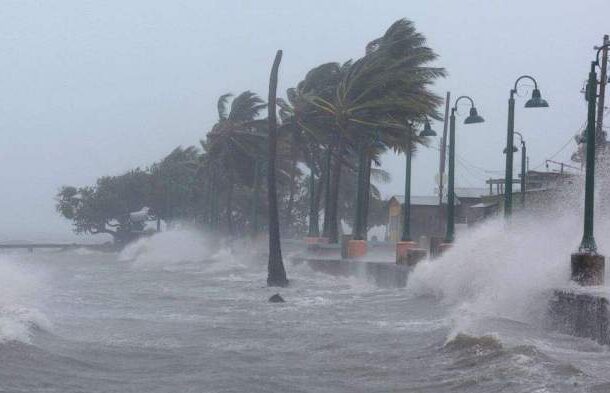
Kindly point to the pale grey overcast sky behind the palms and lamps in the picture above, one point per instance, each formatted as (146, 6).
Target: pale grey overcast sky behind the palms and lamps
(89, 88)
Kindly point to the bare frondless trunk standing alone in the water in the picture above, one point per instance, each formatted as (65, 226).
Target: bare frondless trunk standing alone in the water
(276, 274)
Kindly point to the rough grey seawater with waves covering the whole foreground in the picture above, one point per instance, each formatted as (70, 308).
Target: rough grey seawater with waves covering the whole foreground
(171, 315)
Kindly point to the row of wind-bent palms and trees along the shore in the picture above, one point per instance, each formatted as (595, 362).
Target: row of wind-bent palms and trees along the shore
(333, 126)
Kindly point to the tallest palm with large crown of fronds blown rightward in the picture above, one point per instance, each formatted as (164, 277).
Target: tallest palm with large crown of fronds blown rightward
(376, 95)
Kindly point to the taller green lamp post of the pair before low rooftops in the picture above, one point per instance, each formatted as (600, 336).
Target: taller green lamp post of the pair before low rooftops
(535, 102)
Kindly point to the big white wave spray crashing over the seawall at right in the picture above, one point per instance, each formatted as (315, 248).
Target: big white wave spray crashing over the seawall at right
(500, 271)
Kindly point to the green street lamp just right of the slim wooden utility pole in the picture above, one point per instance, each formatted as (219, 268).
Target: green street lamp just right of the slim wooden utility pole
(473, 118)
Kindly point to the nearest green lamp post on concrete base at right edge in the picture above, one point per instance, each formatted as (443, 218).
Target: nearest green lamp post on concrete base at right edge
(587, 265)
